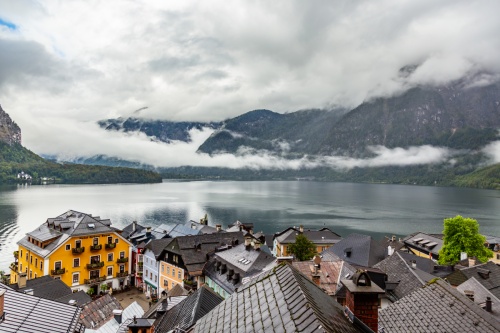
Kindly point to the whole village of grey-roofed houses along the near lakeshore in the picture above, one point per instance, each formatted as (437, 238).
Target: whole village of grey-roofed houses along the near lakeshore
(78, 273)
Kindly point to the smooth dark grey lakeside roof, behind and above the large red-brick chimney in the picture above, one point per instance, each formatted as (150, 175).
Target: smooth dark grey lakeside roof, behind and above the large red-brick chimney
(363, 249)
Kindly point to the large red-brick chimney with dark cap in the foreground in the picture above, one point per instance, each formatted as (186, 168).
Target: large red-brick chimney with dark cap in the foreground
(362, 299)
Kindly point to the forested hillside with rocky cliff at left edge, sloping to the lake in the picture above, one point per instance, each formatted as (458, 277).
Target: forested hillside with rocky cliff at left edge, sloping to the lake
(16, 159)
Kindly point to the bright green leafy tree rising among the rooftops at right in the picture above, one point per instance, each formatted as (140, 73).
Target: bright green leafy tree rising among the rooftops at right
(462, 235)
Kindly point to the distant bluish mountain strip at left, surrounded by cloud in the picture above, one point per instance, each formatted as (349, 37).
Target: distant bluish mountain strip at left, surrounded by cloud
(165, 131)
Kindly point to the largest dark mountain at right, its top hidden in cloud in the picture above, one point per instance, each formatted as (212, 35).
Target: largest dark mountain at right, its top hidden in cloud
(453, 116)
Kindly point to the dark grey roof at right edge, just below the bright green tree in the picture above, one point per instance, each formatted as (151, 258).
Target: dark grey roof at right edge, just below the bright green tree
(487, 274)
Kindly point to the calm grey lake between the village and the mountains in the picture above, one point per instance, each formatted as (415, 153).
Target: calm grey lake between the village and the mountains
(375, 209)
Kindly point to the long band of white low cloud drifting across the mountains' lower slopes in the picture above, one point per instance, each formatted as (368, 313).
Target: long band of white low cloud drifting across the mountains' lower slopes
(136, 146)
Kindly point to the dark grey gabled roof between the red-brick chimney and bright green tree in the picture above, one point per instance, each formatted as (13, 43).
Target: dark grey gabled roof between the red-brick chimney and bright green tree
(398, 269)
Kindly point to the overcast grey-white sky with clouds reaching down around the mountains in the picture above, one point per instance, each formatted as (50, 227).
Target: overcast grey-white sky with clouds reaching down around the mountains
(66, 64)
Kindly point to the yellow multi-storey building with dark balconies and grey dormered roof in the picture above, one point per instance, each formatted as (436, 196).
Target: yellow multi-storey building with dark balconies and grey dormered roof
(81, 250)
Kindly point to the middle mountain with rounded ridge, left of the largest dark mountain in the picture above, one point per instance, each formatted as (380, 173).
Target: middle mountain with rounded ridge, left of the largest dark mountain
(297, 133)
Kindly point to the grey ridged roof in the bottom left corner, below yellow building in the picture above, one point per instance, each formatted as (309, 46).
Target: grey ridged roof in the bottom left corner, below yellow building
(31, 314)
